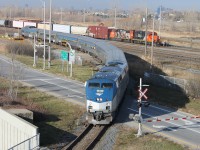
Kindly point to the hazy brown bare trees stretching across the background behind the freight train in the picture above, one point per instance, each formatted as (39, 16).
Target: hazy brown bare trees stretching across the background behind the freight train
(171, 21)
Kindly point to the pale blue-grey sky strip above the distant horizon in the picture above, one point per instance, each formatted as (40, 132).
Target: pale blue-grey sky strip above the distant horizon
(101, 4)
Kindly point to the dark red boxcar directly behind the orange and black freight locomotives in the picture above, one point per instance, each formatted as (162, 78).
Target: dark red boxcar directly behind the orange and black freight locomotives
(99, 32)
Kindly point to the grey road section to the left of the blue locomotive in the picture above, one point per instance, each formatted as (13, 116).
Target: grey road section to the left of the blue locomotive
(65, 88)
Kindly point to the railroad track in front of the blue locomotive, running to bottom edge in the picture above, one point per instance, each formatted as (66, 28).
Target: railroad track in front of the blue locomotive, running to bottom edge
(88, 138)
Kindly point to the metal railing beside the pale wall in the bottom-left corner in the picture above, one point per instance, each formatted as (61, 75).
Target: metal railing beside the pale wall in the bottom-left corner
(32, 143)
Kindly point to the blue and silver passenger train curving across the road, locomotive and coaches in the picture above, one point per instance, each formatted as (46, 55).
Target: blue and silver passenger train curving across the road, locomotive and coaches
(105, 89)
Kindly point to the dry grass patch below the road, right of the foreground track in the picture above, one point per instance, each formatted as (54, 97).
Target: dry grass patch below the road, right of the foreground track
(127, 140)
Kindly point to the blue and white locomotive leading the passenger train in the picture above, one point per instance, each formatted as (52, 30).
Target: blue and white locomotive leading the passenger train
(104, 92)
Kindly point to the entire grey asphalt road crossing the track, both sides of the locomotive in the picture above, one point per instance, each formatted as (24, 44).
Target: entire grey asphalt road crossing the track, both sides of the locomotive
(183, 131)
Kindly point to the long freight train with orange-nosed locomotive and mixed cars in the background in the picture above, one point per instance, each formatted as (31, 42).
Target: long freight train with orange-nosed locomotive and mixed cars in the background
(99, 32)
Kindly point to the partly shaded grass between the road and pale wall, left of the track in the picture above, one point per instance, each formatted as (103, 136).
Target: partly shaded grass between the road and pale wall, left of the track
(55, 117)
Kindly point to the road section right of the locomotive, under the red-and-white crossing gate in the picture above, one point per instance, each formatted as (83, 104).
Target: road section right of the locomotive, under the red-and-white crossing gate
(184, 131)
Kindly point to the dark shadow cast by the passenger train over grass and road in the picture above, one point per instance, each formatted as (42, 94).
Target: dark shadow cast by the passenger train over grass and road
(172, 98)
